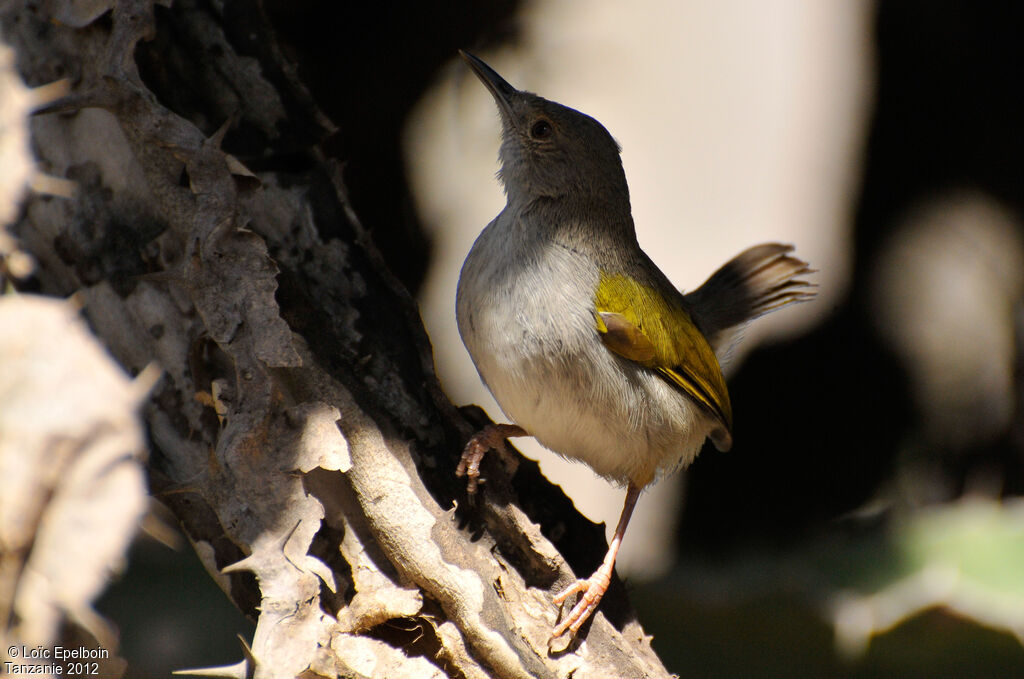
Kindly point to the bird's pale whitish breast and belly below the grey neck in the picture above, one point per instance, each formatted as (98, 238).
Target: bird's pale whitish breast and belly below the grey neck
(540, 355)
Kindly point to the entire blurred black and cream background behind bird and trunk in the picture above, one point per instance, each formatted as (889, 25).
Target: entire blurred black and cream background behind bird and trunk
(869, 522)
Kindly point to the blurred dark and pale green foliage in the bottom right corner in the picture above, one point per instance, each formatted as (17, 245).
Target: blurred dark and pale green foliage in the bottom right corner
(933, 593)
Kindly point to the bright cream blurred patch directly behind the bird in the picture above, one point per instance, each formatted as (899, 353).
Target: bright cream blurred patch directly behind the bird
(728, 142)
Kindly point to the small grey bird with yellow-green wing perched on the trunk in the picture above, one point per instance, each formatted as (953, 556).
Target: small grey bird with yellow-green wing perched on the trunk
(585, 345)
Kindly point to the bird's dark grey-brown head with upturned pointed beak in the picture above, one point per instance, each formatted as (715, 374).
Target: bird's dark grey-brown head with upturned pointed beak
(551, 151)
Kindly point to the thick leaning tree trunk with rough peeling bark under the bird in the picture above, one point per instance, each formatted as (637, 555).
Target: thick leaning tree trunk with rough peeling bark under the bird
(298, 433)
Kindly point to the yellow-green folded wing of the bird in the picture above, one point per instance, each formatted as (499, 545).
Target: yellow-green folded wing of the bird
(637, 323)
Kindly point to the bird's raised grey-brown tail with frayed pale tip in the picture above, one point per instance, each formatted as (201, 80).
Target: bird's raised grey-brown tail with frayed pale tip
(757, 281)
